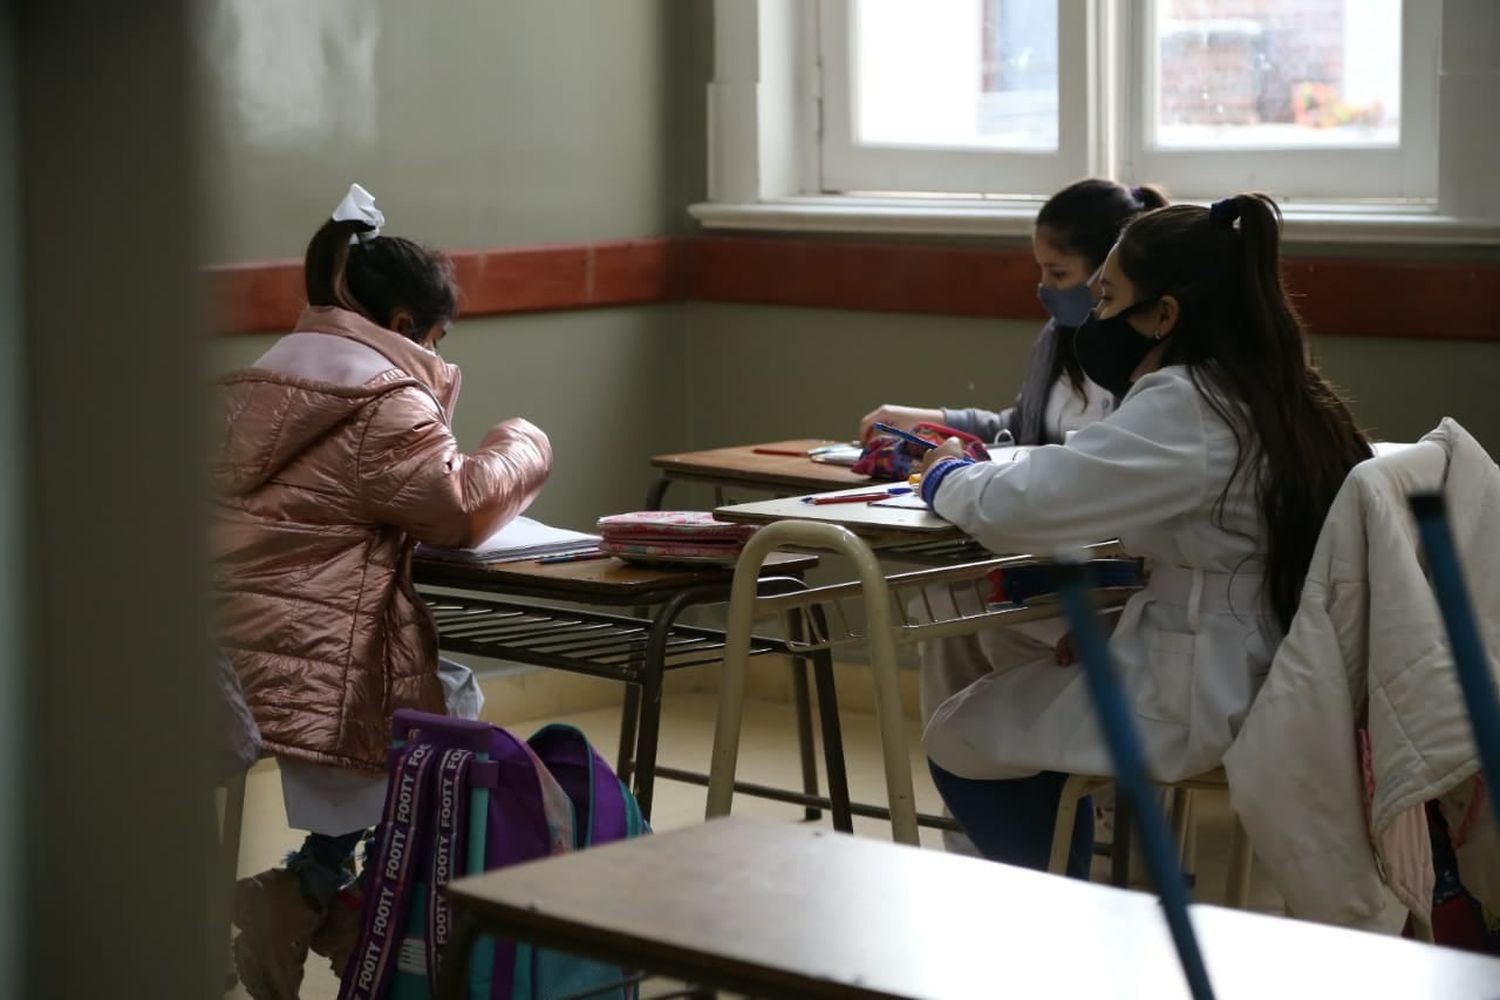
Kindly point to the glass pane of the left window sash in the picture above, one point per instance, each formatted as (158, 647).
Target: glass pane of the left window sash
(962, 74)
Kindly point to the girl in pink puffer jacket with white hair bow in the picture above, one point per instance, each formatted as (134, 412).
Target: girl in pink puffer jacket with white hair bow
(335, 458)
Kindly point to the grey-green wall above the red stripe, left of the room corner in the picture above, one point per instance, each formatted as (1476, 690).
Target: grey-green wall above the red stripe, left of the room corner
(475, 122)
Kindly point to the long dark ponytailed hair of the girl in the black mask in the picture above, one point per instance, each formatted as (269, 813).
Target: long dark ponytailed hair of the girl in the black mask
(1247, 353)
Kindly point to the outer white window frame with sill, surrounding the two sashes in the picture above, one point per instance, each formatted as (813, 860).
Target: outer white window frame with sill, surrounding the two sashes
(766, 104)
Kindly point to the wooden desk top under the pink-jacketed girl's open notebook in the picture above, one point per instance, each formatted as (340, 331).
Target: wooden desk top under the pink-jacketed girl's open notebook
(608, 581)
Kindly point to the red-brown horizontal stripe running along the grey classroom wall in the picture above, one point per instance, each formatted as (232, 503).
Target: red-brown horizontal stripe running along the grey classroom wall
(1337, 296)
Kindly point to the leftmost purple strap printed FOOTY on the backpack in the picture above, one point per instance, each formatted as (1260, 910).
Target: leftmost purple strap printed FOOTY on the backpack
(398, 863)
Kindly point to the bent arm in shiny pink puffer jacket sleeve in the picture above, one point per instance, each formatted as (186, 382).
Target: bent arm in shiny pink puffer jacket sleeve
(413, 475)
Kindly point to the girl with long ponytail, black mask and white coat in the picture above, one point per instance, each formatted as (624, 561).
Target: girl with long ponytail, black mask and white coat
(1219, 469)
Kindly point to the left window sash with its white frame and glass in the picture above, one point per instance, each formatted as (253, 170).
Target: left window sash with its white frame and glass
(952, 95)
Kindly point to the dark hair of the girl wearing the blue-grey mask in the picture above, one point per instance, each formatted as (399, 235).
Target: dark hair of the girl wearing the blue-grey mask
(1085, 220)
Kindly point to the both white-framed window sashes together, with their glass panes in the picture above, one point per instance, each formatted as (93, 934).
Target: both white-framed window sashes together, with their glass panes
(1009, 97)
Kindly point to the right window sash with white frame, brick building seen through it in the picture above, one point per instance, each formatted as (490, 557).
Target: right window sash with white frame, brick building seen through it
(1303, 98)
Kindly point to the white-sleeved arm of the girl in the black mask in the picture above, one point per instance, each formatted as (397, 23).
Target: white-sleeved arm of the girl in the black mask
(1141, 467)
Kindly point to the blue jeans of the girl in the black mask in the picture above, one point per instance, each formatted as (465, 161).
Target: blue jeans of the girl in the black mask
(1012, 819)
